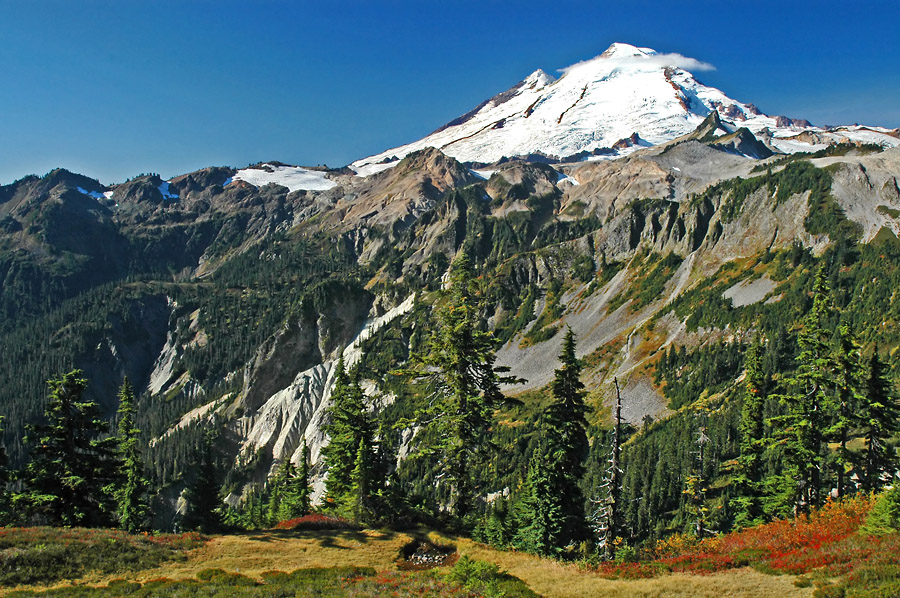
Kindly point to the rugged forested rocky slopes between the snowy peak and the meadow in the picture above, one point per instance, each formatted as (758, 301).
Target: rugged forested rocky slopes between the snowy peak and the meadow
(434, 343)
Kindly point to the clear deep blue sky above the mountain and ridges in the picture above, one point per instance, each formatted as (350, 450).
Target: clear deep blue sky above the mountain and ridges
(115, 88)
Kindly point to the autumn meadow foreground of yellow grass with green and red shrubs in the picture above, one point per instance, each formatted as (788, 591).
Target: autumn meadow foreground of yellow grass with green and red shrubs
(823, 555)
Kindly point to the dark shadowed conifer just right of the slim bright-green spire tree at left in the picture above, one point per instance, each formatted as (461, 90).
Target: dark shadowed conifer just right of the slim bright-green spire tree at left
(202, 493)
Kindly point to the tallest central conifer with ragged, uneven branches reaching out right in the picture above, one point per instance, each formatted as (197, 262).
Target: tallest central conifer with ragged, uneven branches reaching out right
(459, 362)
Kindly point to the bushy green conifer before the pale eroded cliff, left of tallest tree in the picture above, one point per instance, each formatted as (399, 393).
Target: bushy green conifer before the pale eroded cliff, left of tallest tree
(349, 425)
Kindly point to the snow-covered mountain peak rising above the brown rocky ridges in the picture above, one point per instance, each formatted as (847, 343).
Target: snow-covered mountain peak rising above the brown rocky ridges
(625, 98)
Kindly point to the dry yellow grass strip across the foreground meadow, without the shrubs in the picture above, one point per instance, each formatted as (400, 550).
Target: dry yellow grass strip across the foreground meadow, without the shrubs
(254, 553)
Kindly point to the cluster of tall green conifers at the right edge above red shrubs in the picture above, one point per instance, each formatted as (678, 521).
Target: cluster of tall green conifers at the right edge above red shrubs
(823, 430)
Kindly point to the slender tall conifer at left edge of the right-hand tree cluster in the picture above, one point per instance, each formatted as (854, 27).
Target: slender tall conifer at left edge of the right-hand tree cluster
(748, 476)
